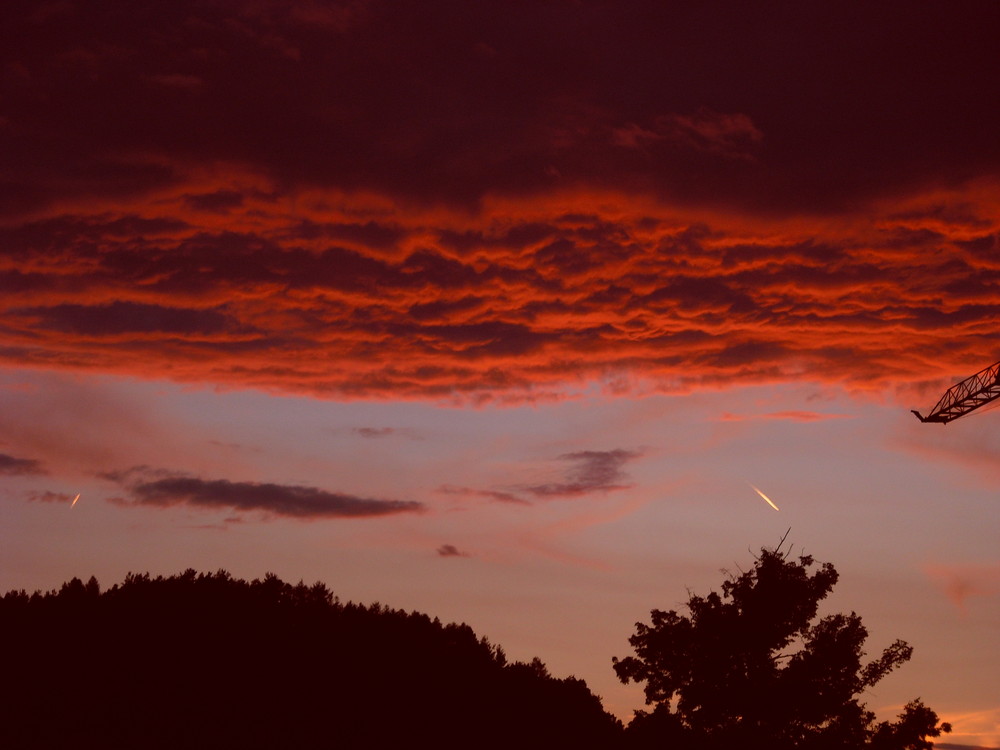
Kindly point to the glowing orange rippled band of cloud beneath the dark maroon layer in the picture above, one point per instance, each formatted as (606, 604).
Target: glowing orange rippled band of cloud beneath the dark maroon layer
(405, 305)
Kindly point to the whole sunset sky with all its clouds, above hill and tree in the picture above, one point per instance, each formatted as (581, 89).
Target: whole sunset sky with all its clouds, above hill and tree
(500, 311)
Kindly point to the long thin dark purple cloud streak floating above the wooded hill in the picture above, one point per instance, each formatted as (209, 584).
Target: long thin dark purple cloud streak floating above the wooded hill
(162, 489)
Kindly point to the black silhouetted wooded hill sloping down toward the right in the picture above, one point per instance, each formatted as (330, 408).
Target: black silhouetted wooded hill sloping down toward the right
(209, 661)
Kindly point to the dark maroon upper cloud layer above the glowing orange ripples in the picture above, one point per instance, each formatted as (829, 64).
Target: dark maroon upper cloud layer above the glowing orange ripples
(807, 104)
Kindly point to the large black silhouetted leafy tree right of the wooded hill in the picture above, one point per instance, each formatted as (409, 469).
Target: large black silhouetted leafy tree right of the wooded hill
(753, 668)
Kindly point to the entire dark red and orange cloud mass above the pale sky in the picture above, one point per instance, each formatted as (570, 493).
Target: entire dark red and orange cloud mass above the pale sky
(499, 201)
